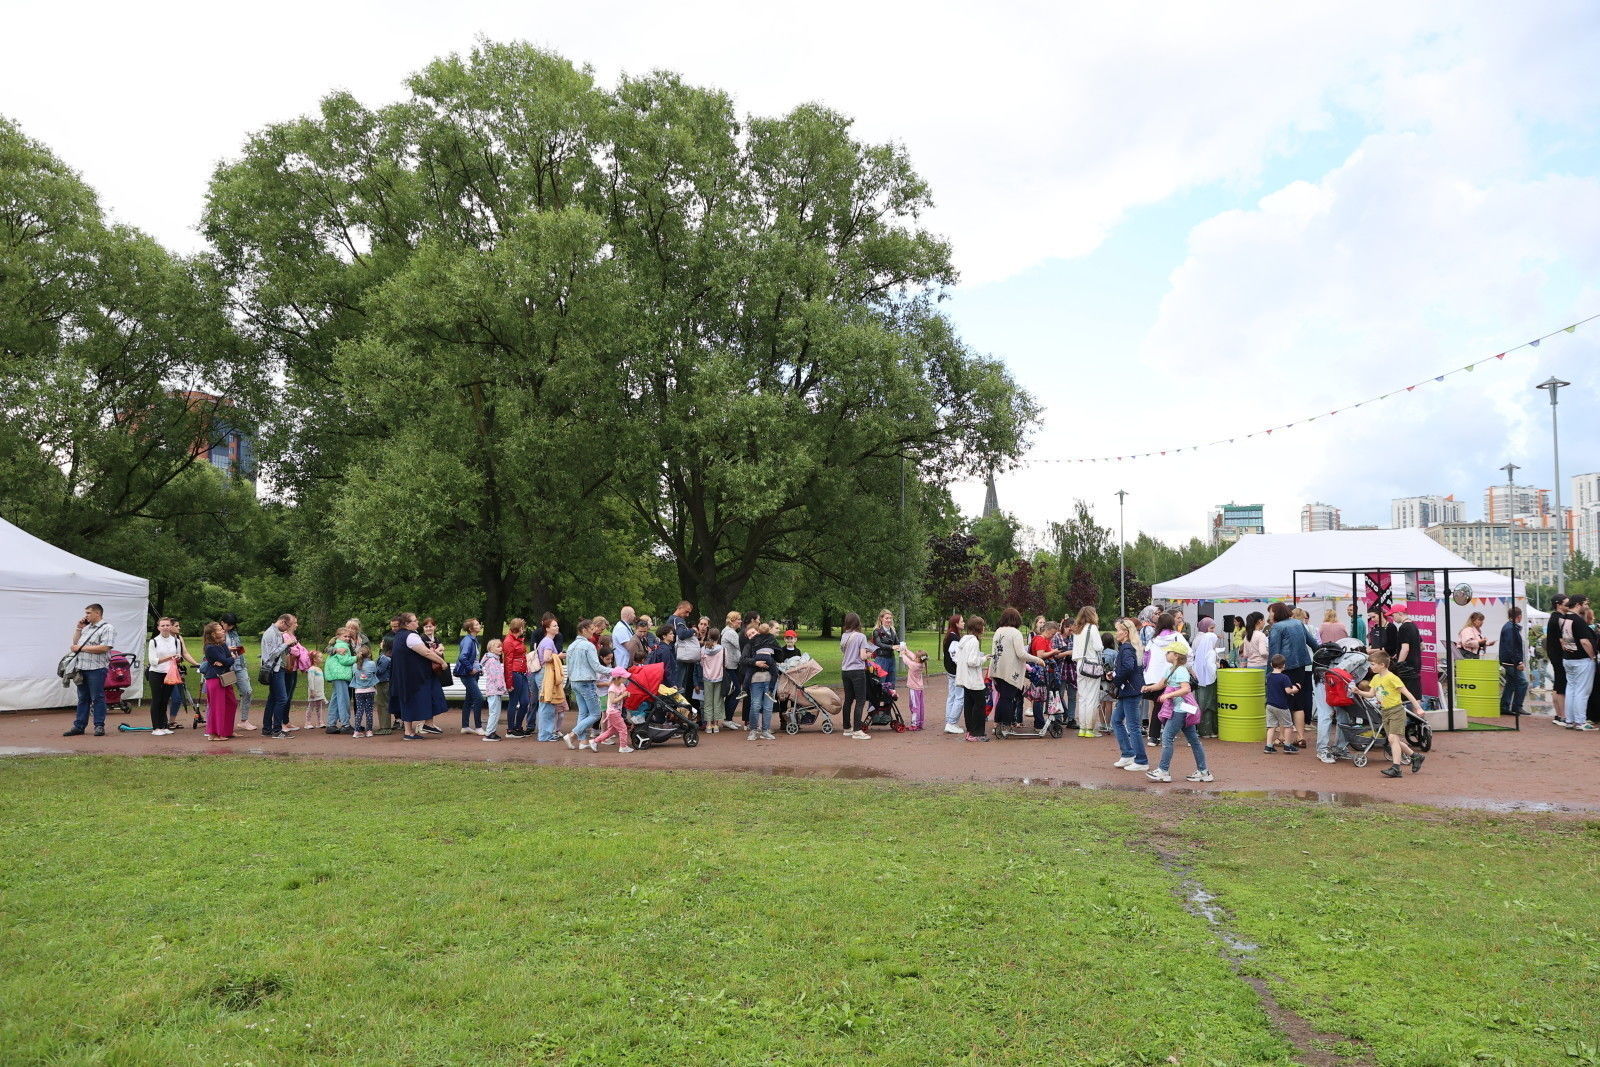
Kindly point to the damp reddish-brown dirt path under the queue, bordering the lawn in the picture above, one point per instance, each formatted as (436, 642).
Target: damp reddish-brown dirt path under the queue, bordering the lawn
(1540, 769)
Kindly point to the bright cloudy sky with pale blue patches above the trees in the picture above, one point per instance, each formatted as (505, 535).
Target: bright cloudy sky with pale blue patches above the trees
(1175, 222)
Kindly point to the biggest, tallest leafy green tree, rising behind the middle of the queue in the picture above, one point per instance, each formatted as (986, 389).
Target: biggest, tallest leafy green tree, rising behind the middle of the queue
(540, 338)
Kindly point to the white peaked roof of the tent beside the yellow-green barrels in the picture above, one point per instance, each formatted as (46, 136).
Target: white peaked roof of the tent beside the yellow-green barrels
(1262, 567)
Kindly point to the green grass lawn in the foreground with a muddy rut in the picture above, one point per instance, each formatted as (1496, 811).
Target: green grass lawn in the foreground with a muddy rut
(202, 911)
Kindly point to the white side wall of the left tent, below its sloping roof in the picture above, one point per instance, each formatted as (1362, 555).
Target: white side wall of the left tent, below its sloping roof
(39, 634)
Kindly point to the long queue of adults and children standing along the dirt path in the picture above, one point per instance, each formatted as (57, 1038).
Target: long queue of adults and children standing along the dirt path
(1146, 682)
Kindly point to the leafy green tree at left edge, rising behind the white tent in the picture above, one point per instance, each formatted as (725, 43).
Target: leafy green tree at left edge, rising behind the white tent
(119, 369)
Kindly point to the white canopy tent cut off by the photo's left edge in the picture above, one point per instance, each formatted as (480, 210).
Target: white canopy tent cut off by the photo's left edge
(44, 591)
